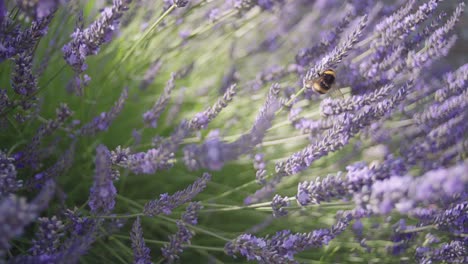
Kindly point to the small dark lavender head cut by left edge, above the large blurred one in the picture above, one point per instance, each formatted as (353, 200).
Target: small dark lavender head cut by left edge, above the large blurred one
(9, 182)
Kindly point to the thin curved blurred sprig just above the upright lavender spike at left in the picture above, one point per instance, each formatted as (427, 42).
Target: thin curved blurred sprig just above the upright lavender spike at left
(104, 120)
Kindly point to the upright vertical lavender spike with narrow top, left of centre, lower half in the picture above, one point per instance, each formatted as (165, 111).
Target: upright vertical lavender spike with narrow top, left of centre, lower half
(103, 192)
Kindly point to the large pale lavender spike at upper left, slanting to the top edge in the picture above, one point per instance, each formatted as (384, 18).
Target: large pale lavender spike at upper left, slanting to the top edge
(86, 42)
